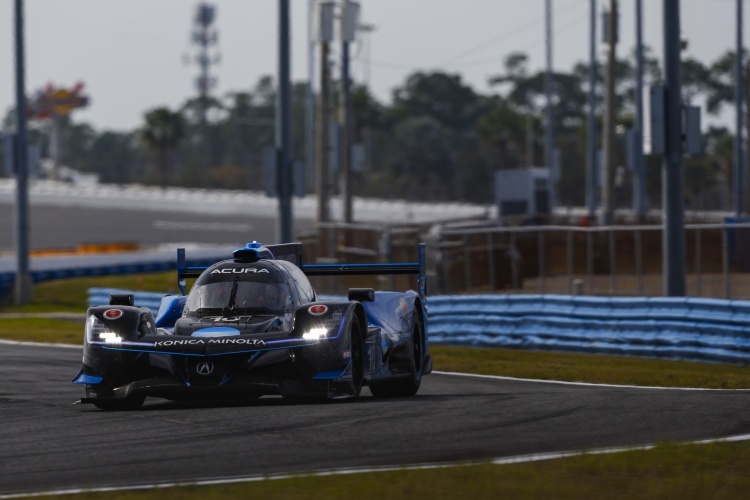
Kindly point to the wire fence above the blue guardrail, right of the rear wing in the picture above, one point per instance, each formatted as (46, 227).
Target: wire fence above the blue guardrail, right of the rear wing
(611, 260)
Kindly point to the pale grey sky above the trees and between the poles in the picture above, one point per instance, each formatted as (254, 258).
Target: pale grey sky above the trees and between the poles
(130, 53)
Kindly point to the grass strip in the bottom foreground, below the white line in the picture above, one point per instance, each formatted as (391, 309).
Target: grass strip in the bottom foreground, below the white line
(668, 471)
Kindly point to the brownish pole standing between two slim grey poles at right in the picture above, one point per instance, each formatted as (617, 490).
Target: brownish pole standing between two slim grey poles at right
(608, 202)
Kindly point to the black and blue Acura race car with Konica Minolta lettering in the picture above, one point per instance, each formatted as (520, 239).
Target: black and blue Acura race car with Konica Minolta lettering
(253, 325)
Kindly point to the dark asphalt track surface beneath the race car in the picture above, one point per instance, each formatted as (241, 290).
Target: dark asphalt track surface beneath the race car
(49, 443)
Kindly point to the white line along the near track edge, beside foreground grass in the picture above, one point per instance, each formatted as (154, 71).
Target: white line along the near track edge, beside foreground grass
(533, 457)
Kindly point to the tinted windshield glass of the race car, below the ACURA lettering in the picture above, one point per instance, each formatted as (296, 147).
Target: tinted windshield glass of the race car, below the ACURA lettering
(229, 294)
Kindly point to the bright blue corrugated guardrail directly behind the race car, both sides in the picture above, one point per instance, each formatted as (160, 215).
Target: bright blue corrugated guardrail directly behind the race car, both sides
(665, 327)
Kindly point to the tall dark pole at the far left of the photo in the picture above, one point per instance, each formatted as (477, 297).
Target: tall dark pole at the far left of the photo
(23, 287)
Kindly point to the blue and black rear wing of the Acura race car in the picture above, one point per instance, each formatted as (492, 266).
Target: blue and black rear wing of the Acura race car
(292, 252)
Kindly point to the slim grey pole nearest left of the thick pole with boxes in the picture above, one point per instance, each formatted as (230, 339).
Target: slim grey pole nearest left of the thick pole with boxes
(639, 161)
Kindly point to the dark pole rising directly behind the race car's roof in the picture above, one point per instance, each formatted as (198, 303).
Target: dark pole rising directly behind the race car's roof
(283, 137)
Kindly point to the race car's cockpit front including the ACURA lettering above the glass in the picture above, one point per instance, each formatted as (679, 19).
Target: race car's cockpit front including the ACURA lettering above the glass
(232, 288)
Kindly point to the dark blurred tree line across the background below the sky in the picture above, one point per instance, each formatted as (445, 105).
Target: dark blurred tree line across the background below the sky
(436, 140)
